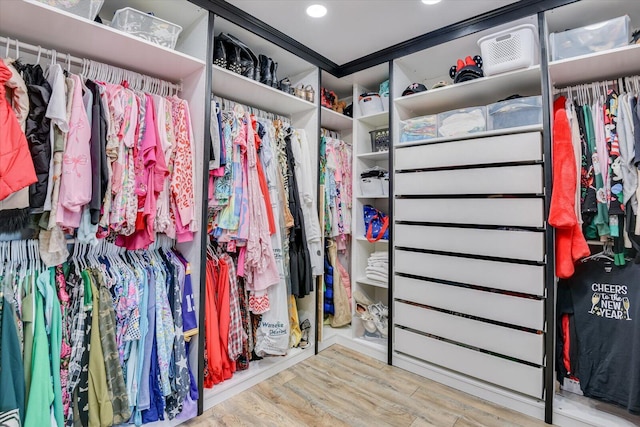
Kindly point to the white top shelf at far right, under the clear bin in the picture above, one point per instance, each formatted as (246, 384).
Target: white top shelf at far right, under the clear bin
(614, 63)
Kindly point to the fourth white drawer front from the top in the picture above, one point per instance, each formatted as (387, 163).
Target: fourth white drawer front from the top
(525, 245)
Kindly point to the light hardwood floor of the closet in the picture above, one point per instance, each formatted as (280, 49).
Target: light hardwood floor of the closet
(341, 387)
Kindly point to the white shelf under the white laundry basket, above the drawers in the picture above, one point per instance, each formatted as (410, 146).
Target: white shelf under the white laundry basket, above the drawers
(482, 91)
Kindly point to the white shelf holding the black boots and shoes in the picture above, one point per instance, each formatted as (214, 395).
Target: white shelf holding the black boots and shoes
(241, 89)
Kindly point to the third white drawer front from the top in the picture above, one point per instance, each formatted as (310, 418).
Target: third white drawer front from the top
(514, 212)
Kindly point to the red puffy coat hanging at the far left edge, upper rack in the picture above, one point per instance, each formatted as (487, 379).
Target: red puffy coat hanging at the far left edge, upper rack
(16, 166)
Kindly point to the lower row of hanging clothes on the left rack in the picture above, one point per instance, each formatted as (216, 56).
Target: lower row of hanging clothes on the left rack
(88, 365)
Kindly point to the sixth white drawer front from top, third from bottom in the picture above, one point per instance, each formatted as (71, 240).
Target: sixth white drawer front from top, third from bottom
(509, 309)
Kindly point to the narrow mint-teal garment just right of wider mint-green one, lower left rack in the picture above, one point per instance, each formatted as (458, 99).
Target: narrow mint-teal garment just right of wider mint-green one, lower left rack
(55, 343)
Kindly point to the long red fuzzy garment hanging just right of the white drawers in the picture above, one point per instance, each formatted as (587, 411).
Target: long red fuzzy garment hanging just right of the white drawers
(570, 242)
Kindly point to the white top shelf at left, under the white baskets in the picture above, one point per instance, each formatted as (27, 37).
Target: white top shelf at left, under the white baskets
(33, 22)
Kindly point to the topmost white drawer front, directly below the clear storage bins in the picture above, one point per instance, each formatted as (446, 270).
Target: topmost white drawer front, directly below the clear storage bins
(497, 149)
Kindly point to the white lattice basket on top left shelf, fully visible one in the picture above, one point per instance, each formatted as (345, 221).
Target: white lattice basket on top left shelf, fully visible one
(146, 27)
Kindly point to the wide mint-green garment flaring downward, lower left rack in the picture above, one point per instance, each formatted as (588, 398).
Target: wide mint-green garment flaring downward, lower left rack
(40, 399)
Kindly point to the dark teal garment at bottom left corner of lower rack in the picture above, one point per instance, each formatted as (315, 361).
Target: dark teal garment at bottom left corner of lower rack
(12, 390)
